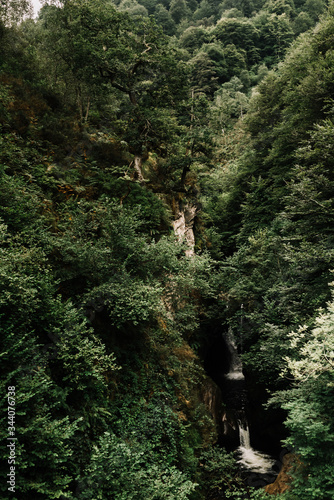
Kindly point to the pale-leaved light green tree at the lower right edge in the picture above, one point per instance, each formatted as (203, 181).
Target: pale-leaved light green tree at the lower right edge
(310, 407)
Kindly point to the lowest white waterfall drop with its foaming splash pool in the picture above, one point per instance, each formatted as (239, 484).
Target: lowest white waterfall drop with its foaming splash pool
(252, 459)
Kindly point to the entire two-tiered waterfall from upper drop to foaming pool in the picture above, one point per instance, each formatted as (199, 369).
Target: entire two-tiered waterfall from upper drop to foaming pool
(251, 459)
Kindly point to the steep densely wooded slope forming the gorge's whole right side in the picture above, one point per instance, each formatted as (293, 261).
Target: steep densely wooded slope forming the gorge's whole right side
(276, 201)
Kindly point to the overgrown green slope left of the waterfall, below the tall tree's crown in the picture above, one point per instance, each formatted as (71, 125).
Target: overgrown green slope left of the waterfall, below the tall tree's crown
(96, 236)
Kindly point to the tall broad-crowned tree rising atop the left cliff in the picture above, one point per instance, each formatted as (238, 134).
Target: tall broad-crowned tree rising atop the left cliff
(104, 49)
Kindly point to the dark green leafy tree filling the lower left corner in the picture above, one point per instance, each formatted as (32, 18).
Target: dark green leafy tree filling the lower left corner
(51, 357)
